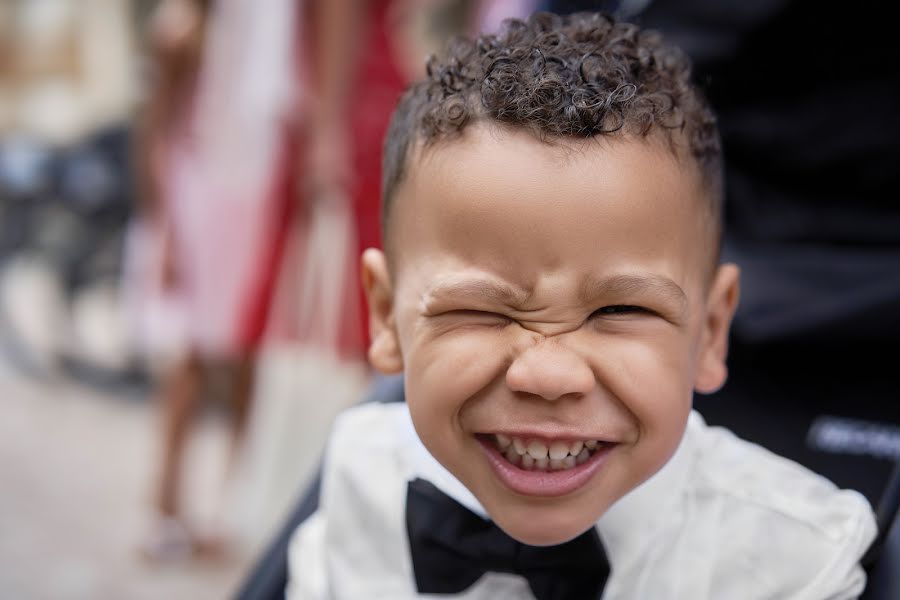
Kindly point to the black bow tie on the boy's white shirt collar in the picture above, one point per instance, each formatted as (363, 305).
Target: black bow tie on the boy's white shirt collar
(452, 548)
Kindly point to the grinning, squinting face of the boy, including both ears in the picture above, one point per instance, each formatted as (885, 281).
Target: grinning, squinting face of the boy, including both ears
(550, 293)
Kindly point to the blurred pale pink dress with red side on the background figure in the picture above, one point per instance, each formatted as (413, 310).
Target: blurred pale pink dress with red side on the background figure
(223, 176)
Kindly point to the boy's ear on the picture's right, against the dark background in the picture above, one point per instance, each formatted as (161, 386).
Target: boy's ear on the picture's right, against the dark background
(720, 306)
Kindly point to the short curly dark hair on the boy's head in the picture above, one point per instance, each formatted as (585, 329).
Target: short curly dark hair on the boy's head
(577, 76)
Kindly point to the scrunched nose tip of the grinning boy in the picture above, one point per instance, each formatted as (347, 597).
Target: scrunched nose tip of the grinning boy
(551, 371)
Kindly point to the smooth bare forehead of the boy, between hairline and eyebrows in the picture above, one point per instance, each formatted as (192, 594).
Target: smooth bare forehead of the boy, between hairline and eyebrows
(502, 201)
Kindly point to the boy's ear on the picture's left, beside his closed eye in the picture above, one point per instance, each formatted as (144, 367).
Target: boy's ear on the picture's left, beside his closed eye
(384, 351)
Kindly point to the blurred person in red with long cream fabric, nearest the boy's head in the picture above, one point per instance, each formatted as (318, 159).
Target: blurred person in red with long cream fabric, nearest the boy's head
(313, 364)
